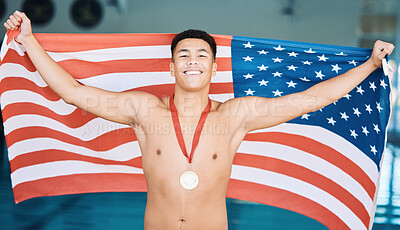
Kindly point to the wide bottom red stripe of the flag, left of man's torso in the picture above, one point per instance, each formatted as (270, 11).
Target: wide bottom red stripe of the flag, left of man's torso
(80, 183)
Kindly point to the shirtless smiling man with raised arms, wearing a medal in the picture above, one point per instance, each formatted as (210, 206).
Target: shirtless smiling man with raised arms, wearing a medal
(171, 203)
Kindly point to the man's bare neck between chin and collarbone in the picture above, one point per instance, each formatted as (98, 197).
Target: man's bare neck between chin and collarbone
(190, 103)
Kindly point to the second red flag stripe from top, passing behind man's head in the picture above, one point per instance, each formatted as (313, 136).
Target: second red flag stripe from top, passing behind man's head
(83, 69)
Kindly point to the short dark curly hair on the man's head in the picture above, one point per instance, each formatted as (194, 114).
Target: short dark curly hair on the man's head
(191, 33)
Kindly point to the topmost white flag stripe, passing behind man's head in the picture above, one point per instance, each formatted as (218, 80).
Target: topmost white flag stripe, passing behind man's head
(125, 53)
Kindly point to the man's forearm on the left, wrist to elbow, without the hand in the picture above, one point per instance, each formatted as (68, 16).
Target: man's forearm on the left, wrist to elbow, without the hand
(60, 81)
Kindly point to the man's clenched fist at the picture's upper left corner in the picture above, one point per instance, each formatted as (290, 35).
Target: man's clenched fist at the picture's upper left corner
(17, 20)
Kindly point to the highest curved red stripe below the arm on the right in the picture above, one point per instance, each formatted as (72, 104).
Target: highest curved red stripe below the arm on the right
(320, 150)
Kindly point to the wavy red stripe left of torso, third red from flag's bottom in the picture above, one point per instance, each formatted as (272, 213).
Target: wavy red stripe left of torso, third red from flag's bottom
(105, 142)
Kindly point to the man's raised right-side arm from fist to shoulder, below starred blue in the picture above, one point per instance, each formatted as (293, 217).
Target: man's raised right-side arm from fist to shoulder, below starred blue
(257, 112)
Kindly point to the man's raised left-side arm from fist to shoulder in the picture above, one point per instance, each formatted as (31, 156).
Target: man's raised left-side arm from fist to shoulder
(118, 107)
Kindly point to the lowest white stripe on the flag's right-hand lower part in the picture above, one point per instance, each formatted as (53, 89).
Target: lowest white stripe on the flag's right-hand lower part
(301, 188)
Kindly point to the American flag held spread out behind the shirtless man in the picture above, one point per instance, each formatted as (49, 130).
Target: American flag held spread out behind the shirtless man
(325, 165)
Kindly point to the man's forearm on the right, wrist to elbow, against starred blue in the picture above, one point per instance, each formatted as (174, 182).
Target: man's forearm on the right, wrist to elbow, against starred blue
(335, 88)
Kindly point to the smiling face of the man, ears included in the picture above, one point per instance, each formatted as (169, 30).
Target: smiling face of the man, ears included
(193, 64)
